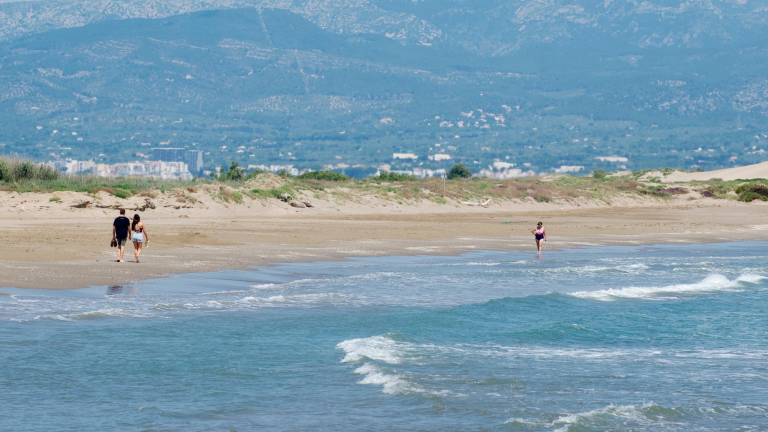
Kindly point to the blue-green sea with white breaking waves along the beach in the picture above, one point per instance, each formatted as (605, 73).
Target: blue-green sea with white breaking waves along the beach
(651, 338)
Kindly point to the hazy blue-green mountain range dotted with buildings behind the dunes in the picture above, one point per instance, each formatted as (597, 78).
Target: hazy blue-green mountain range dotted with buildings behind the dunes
(540, 84)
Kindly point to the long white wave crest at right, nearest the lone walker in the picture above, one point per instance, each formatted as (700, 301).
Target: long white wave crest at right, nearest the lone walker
(712, 283)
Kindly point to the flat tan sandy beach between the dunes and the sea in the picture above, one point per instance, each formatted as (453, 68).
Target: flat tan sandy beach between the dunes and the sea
(52, 244)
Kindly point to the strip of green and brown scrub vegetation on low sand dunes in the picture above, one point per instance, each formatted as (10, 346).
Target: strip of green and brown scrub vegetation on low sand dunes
(234, 184)
